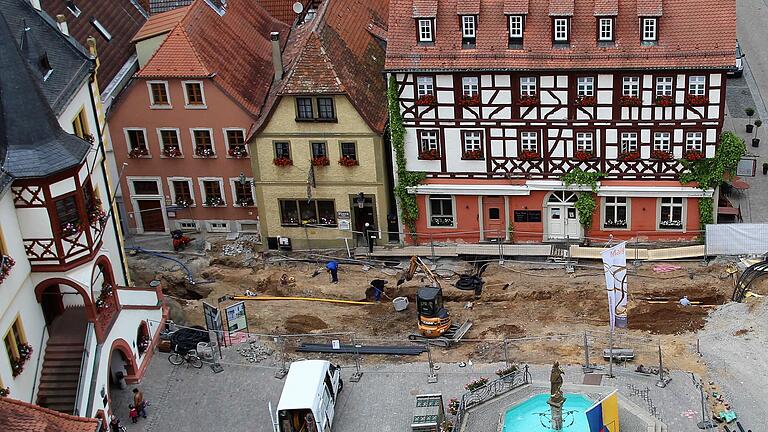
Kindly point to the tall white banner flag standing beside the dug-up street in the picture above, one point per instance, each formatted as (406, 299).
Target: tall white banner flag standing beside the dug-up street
(615, 264)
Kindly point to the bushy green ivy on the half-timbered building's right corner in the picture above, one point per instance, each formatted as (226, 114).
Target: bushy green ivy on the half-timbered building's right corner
(709, 173)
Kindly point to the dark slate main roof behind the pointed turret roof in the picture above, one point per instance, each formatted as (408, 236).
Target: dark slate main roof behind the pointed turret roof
(71, 64)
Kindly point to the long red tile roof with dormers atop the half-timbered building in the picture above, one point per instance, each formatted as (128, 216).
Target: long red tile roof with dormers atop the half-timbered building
(692, 34)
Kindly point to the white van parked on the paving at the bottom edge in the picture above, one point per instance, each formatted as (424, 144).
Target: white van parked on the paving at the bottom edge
(309, 397)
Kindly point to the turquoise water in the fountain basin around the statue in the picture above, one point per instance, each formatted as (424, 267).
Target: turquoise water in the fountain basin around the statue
(526, 417)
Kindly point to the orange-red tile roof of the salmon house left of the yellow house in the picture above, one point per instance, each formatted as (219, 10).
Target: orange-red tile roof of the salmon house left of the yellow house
(233, 49)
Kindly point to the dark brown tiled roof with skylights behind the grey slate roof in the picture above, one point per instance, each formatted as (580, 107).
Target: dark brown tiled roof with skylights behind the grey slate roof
(121, 18)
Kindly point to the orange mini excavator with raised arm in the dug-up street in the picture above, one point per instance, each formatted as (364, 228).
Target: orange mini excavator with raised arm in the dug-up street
(435, 323)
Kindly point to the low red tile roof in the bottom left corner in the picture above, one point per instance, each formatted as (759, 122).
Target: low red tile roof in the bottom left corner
(19, 416)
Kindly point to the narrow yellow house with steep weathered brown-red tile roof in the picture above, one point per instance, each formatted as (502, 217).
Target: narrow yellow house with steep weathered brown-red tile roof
(319, 157)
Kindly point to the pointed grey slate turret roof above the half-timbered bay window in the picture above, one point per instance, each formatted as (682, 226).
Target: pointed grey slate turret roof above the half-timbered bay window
(32, 144)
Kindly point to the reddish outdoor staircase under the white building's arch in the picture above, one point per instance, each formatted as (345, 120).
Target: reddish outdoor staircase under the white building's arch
(61, 365)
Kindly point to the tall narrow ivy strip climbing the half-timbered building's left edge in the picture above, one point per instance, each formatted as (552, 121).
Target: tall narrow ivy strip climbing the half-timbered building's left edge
(409, 209)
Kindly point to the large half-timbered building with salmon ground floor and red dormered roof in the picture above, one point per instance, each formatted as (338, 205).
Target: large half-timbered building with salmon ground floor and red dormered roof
(502, 99)
